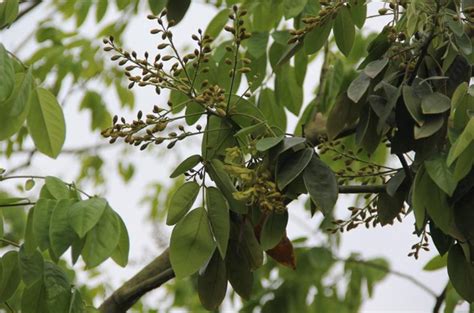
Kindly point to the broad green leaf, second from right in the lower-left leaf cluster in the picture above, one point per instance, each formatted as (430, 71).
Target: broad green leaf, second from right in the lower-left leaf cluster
(102, 239)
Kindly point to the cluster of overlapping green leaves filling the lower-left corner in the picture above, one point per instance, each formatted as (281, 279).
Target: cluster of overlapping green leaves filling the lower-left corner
(59, 220)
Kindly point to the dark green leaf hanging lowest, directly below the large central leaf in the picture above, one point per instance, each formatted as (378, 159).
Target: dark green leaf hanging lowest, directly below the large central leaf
(212, 284)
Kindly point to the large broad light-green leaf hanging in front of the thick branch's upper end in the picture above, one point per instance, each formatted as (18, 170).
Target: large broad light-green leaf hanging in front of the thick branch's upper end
(191, 243)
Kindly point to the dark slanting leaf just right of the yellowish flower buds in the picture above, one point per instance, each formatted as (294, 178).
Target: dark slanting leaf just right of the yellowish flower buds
(292, 166)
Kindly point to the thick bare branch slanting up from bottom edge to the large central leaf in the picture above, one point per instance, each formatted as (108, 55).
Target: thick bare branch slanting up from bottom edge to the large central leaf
(152, 276)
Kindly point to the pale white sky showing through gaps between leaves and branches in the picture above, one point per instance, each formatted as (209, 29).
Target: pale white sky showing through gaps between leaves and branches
(391, 242)
